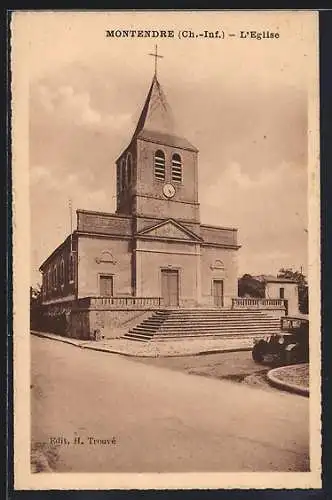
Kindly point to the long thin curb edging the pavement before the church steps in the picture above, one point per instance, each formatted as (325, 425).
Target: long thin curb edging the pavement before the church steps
(78, 343)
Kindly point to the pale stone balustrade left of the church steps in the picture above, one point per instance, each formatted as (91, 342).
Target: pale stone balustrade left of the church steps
(121, 302)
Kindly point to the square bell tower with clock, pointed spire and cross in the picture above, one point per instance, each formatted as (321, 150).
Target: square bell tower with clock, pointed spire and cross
(157, 174)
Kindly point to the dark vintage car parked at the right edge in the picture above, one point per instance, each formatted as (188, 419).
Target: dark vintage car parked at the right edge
(290, 346)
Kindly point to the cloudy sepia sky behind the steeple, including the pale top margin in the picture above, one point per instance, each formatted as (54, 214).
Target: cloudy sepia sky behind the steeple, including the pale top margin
(242, 103)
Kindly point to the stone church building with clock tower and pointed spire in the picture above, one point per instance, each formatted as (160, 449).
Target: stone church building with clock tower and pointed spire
(154, 245)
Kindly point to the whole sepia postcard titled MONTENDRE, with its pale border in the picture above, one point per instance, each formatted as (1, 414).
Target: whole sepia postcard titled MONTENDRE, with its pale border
(166, 249)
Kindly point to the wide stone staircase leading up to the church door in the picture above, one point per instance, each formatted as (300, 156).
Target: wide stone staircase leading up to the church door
(178, 324)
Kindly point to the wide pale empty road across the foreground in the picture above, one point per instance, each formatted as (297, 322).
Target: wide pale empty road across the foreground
(161, 420)
